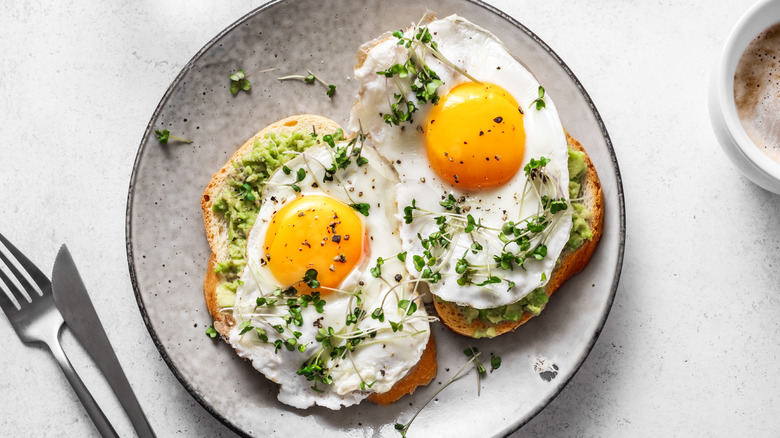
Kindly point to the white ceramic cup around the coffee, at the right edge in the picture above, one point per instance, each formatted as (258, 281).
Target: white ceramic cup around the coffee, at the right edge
(746, 155)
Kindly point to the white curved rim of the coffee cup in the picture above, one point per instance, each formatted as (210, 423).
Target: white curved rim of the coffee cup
(759, 17)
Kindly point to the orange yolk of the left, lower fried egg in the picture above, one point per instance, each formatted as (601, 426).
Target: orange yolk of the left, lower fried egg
(314, 232)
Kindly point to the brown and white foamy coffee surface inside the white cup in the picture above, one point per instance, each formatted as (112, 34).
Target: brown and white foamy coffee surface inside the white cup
(757, 91)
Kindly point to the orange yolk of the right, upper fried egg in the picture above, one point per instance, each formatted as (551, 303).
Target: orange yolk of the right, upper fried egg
(475, 137)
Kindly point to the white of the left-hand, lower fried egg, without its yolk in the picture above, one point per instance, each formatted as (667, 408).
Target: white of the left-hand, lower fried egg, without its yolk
(380, 361)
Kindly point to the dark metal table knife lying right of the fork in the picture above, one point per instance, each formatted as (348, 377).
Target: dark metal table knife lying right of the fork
(79, 314)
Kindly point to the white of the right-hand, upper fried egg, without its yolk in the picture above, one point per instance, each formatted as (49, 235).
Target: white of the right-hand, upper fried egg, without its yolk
(483, 56)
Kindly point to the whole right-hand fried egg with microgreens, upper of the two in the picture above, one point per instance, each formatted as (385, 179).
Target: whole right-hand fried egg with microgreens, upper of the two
(465, 196)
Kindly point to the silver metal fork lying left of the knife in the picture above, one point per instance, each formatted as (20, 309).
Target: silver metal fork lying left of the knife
(37, 320)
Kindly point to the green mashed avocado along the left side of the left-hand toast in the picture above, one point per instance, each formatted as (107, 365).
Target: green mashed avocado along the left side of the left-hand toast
(240, 201)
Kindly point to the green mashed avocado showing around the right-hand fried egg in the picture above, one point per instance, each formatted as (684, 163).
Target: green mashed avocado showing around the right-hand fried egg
(535, 301)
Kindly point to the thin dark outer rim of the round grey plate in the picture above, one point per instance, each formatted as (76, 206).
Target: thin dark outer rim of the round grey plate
(211, 43)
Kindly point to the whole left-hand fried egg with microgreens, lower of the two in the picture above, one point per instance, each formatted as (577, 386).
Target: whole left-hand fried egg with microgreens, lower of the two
(310, 313)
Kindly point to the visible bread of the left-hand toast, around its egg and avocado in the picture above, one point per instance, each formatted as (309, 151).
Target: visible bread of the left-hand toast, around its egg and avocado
(218, 235)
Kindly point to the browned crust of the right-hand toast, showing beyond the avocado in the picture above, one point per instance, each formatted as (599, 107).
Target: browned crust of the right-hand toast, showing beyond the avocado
(570, 262)
